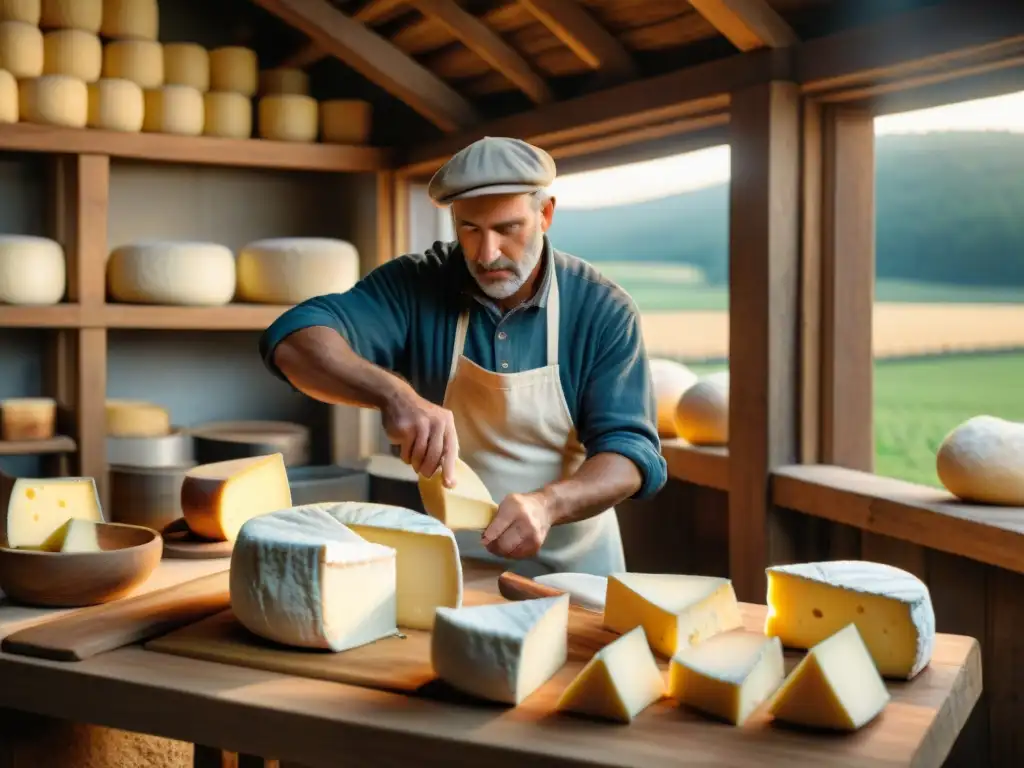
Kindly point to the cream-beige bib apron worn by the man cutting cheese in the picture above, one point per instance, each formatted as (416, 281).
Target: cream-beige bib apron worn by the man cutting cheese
(517, 433)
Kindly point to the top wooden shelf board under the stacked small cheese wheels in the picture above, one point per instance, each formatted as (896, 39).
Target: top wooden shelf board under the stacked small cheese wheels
(162, 148)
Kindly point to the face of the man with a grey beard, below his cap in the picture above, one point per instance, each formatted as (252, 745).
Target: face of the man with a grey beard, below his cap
(502, 237)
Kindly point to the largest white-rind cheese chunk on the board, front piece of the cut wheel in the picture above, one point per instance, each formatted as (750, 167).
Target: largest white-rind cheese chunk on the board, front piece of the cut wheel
(301, 578)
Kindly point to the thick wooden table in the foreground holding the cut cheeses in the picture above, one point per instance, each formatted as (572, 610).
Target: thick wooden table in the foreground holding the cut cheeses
(316, 723)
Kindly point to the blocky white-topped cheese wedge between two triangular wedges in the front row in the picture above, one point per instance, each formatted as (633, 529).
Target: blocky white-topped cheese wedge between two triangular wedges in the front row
(729, 676)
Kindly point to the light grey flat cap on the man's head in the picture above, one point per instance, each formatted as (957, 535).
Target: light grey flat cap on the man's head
(494, 165)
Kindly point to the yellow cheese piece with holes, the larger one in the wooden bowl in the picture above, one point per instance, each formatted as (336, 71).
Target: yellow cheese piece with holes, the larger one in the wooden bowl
(38, 507)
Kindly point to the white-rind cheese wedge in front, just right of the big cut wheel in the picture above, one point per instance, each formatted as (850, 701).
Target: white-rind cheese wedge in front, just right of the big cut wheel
(501, 653)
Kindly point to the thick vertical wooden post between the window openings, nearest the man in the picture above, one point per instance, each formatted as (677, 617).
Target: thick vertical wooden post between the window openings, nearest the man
(764, 239)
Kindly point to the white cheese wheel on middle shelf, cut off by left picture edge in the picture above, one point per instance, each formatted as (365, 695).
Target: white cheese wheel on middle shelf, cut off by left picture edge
(32, 271)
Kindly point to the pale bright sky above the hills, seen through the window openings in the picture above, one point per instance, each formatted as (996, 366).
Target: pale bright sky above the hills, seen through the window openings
(657, 179)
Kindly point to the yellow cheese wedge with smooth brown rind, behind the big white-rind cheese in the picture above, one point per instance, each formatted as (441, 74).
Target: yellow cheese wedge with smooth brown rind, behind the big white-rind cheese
(219, 498)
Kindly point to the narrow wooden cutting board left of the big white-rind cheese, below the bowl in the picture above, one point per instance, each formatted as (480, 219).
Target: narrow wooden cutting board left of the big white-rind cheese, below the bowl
(97, 630)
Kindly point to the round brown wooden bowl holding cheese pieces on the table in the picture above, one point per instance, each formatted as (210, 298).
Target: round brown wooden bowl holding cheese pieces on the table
(72, 580)
